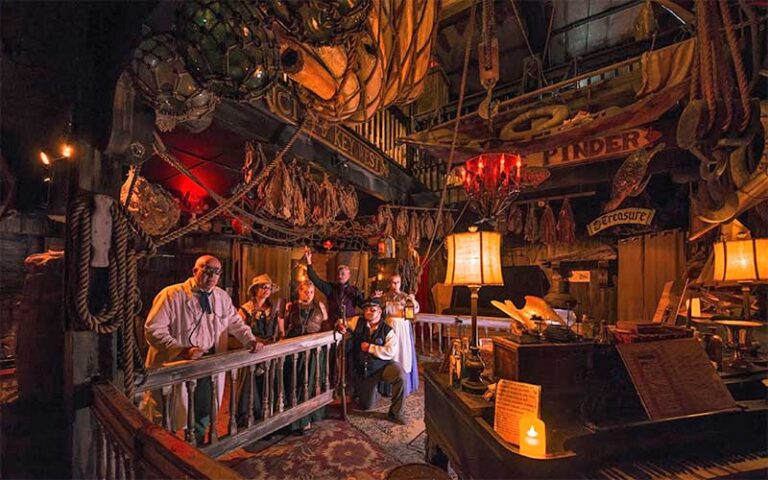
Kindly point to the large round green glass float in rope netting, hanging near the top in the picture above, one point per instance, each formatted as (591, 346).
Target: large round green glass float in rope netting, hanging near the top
(228, 47)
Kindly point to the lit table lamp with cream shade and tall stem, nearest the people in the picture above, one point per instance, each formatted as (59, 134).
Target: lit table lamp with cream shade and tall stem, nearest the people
(474, 260)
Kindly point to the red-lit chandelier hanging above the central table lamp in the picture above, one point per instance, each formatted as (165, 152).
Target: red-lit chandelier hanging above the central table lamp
(493, 181)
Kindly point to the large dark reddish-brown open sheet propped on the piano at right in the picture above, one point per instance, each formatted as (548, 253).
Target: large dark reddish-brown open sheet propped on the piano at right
(675, 378)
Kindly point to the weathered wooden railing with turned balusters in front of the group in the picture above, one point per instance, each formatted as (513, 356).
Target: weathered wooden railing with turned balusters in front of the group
(278, 408)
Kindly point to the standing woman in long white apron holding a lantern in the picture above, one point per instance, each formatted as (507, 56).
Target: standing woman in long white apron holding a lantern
(394, 302)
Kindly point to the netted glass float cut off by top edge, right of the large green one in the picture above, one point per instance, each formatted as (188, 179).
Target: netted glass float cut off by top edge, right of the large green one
(321, 22)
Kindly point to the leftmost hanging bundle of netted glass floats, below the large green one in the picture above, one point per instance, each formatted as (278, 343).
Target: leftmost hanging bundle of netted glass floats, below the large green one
(161, 76)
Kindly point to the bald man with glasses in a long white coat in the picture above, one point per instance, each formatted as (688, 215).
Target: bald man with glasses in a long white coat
(189, 320)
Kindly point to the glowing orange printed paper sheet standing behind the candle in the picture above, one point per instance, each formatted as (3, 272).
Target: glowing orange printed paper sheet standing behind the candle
(513, 400)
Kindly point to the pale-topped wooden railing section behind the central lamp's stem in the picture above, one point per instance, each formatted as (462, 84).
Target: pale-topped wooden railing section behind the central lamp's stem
(434, 332)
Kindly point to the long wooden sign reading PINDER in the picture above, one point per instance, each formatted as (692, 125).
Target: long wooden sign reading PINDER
(595, 148)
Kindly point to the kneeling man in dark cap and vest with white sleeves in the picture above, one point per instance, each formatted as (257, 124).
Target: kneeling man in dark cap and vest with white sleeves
(372, 345)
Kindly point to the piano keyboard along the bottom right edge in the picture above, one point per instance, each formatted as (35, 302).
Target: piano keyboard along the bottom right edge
(735, 465)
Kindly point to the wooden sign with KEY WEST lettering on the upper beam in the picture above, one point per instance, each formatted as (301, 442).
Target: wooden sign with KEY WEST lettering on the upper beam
(282, 103)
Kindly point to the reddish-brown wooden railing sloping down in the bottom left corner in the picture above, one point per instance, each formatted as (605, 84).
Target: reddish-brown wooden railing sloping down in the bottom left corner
(129, 446)
